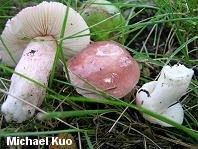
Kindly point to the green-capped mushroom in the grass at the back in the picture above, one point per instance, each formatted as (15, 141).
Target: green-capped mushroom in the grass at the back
(98, 11)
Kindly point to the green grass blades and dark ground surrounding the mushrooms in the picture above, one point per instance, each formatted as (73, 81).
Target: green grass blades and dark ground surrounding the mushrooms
(117, 123)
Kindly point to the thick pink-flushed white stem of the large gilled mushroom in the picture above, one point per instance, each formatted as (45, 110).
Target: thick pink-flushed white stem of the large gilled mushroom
(36, 63)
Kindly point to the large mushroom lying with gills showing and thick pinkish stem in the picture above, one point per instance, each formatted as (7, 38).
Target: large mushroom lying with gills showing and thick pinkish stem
(37, 30)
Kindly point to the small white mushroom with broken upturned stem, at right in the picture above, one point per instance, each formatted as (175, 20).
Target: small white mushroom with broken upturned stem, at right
(161, 96)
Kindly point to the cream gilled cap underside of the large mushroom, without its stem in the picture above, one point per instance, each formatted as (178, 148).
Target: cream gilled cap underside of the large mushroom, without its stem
(45, 19)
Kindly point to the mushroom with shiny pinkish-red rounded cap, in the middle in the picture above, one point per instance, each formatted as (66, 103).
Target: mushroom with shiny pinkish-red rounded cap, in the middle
(107, 66)
